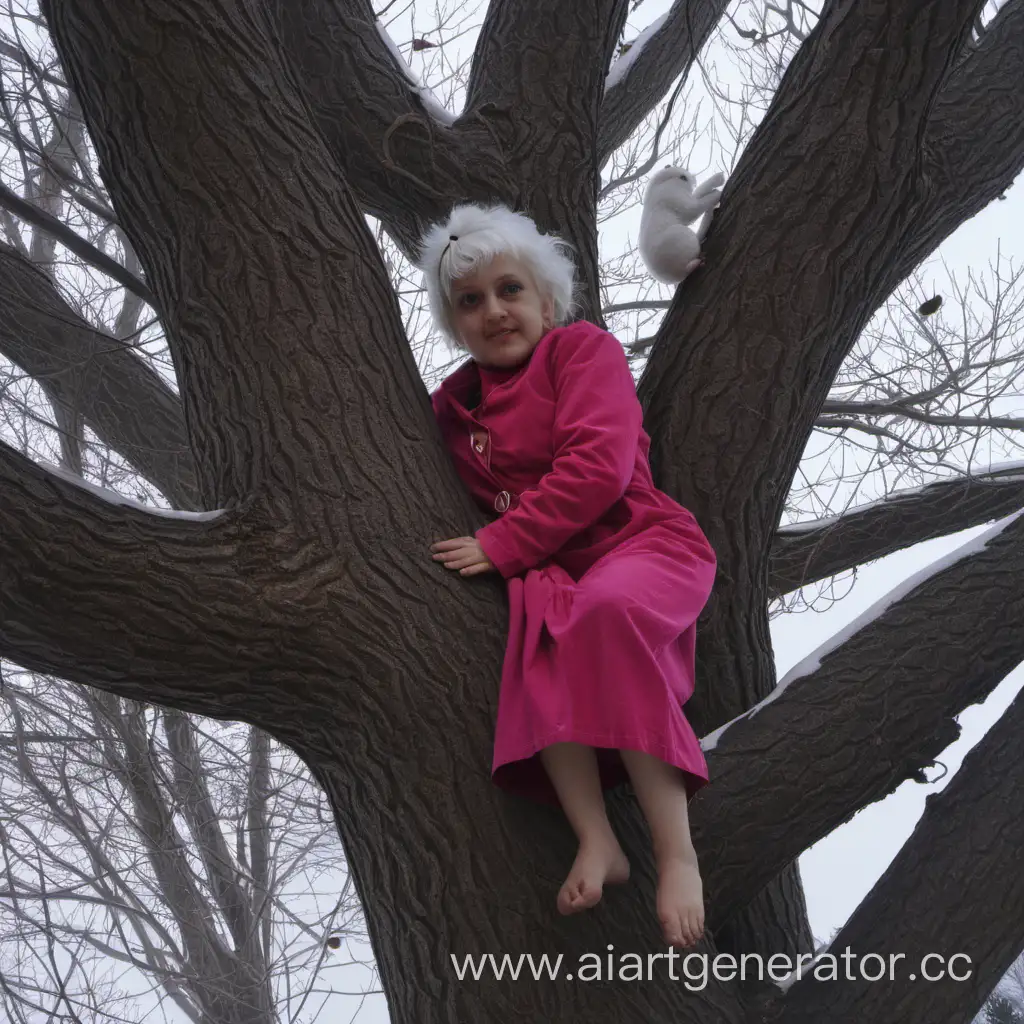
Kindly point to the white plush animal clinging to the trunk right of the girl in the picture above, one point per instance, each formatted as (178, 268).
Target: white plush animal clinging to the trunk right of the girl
(669, 247)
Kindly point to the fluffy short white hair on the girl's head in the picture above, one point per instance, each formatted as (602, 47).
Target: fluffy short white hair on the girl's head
(472, 238)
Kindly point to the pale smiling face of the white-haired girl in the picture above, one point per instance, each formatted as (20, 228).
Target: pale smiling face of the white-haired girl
(500, 313)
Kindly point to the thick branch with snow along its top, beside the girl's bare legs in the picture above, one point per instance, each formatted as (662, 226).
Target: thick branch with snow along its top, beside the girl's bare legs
(870, 709)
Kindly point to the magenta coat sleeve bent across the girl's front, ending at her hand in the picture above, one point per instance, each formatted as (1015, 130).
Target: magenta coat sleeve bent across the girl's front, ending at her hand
(596, 432)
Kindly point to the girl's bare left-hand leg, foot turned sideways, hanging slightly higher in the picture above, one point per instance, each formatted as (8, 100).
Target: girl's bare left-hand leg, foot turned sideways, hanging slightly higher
(573, 770)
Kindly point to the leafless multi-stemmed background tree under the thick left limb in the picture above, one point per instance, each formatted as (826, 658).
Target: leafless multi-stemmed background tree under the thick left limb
(151, 859)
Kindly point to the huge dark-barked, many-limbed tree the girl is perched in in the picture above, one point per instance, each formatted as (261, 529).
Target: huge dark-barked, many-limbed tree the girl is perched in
(242, 148)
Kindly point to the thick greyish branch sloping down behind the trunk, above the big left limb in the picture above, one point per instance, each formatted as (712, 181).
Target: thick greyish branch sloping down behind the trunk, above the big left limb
(93, 375)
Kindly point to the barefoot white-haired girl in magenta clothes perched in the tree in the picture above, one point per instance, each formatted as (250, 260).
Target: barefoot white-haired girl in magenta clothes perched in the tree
(607, 575)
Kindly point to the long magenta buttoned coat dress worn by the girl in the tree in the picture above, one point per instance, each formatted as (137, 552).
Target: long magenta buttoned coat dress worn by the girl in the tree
(606, 574)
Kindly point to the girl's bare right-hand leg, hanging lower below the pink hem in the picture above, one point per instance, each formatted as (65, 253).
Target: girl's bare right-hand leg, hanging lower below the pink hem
(662, 794)
